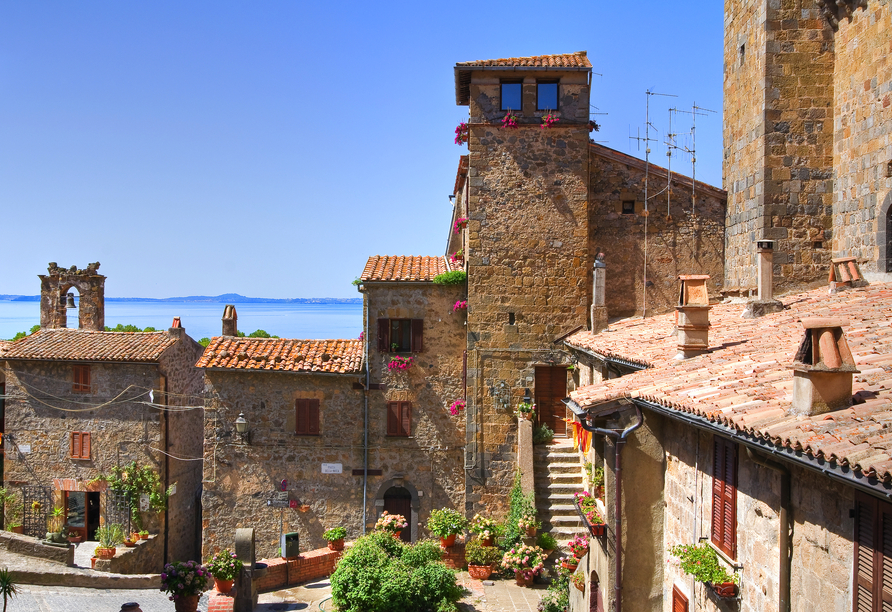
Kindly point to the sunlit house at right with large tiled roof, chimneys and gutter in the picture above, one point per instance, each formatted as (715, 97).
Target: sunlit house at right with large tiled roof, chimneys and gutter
(771, 447)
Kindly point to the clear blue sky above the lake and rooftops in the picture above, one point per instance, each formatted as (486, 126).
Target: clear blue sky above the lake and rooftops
(268, 148)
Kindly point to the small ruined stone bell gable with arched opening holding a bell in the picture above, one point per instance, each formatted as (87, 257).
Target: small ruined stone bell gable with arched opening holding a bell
(54, 287)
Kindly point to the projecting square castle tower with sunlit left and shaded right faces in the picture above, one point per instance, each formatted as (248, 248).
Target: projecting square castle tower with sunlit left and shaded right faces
(778, 140)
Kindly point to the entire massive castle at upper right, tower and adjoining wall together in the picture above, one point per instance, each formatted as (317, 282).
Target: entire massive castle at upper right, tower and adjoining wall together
(808, 122)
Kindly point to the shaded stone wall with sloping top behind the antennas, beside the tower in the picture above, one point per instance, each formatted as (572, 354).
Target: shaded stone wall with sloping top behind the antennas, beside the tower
(682, 239)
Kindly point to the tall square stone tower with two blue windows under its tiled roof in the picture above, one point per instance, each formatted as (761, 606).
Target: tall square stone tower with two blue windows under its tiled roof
(526, 247)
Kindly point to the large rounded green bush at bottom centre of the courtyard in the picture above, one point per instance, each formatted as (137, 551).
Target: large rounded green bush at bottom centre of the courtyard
(381, 574)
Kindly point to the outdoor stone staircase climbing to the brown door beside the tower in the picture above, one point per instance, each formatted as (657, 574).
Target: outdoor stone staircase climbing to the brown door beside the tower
(558, 474)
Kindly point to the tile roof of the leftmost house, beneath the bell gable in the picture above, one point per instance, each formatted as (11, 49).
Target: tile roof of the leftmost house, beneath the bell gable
(82, 345)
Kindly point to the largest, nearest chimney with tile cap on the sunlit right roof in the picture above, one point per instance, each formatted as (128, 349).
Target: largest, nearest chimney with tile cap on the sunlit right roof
(822, 369)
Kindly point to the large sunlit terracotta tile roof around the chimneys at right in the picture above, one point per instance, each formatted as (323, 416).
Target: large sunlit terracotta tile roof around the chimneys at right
(746, 383)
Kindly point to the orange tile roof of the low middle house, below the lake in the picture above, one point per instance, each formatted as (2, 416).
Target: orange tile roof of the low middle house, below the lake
(283, 355)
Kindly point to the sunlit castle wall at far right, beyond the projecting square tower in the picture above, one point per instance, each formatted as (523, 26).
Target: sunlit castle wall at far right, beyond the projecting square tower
(862, 148)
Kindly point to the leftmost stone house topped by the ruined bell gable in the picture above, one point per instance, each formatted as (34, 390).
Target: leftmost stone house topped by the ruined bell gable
(81, 401)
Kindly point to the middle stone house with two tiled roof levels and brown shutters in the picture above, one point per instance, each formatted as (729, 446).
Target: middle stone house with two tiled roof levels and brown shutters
(345, 435)
